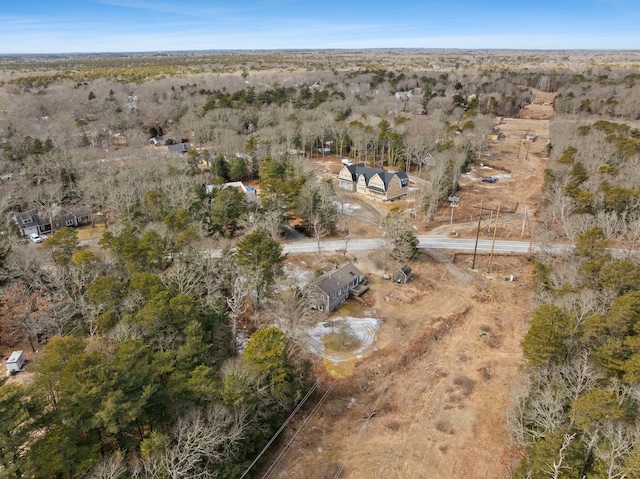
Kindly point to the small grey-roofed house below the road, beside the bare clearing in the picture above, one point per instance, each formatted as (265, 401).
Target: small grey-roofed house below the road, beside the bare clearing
(335, 286)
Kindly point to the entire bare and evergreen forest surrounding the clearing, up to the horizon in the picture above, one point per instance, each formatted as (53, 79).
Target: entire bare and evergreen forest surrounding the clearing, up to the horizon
(141, 370)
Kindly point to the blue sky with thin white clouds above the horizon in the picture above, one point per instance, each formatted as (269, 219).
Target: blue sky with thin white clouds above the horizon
(88, 26)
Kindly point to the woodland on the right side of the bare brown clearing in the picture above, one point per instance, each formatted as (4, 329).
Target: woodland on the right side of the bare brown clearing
(576, 412)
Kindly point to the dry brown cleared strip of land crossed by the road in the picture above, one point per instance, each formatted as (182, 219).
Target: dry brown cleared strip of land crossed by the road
(428, 400)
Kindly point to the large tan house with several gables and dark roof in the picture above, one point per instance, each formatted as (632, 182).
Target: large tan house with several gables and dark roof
(373, 182)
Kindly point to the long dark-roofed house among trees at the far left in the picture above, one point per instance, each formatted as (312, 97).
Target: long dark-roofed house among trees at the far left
(41, 223)
